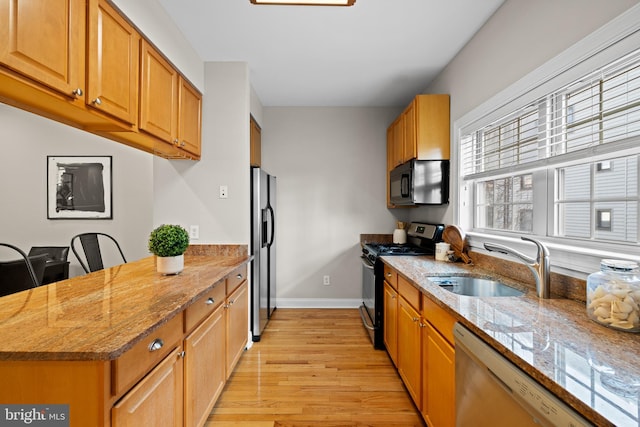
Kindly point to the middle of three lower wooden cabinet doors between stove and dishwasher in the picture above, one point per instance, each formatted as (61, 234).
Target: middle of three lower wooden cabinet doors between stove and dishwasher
(410, 349)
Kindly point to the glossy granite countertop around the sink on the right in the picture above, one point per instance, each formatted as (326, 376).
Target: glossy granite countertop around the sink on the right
(592, 368)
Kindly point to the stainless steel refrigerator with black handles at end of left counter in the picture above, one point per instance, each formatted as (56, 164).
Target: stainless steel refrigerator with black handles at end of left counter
(263, 248)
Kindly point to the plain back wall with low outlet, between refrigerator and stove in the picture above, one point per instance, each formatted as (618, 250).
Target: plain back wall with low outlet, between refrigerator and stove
(330, 167)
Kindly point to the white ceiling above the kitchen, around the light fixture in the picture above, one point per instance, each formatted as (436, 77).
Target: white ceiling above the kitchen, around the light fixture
(376, 53)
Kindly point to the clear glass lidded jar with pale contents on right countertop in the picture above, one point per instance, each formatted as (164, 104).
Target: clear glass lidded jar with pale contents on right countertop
(613, 295)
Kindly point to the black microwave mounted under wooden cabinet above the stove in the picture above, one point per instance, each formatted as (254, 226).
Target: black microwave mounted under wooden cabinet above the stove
(420, 182)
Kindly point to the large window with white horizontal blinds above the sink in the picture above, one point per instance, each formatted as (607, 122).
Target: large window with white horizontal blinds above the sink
(563, 167)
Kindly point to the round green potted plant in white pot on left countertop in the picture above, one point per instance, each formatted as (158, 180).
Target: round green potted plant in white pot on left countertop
(169, 243)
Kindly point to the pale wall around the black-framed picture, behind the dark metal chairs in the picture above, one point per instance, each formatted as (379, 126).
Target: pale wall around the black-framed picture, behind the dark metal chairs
(29, 139)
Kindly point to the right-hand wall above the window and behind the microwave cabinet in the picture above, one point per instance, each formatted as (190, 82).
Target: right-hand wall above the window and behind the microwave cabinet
(519, 37)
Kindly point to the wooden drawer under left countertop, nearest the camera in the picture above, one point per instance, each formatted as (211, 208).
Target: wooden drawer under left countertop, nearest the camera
(135, 363)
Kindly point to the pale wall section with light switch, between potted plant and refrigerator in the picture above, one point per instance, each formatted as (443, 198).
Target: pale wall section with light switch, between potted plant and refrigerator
(186, 192)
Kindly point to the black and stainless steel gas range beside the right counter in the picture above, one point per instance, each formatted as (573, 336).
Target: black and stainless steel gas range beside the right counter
(421, 240)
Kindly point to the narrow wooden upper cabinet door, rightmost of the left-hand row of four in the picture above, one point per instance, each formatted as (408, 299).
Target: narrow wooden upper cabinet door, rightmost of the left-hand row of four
(190, 118)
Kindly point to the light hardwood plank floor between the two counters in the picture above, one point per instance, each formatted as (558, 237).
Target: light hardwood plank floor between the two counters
(315, 368)
